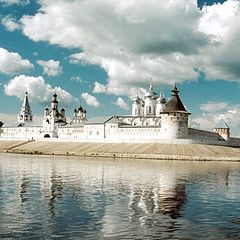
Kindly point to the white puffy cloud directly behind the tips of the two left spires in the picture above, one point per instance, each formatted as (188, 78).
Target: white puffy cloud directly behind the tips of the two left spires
(39, 91)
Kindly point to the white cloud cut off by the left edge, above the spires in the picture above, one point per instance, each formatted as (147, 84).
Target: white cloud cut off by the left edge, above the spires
(13, 63)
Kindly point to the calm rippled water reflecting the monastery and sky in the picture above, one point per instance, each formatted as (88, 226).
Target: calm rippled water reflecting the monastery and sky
(70, 198)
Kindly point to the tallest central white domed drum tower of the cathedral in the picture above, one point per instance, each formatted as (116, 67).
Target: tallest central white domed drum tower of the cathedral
(150, 102)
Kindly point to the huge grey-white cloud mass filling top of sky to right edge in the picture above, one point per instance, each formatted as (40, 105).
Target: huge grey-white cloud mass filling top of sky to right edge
(134, 41)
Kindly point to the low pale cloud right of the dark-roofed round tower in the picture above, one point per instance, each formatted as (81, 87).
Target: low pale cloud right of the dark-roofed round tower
(214, 114)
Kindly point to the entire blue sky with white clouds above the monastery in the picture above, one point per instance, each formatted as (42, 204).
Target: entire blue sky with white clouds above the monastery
(99, 54)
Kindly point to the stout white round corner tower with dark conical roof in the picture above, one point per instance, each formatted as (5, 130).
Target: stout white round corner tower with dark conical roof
(174, 118)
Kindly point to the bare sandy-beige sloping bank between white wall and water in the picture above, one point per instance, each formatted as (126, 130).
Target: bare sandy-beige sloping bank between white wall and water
(154, 151)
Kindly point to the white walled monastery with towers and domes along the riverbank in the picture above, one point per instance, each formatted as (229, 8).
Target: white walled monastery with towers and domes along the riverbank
(153, 120)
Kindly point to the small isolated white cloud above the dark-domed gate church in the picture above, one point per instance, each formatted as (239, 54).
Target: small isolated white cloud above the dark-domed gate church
(50, 67)
